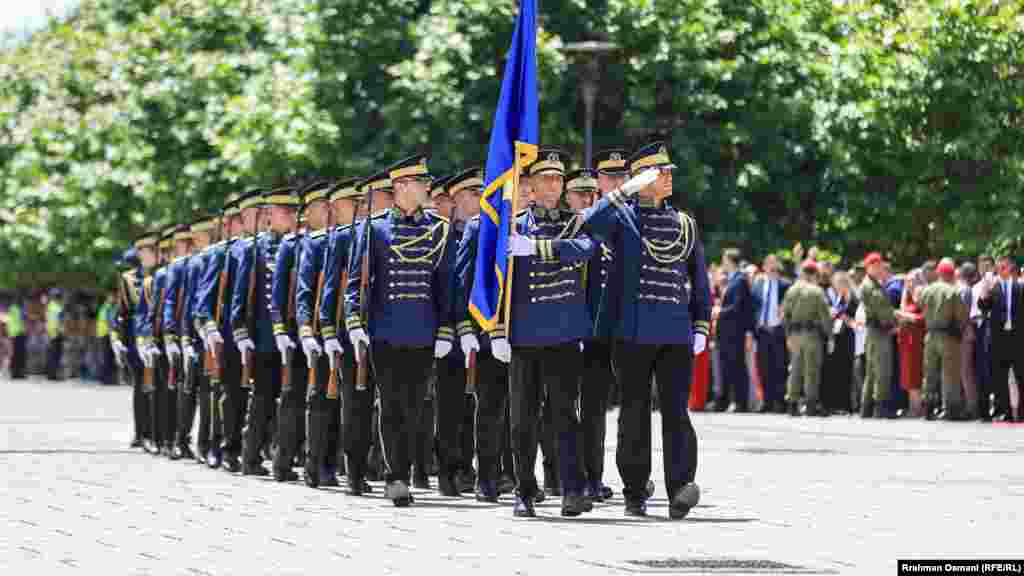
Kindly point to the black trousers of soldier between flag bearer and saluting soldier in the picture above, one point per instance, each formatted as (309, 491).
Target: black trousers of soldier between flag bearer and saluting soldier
(594, 386)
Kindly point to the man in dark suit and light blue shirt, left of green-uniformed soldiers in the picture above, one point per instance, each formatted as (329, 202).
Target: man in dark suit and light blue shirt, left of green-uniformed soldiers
(769, 295)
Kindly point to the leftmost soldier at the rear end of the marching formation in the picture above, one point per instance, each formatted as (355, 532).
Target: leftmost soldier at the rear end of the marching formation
(123, 339)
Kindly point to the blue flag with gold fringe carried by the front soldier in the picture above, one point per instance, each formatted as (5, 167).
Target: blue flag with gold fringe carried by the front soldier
(514, 144)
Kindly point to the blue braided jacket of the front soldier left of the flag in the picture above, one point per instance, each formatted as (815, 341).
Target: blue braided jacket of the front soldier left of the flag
(410, 281)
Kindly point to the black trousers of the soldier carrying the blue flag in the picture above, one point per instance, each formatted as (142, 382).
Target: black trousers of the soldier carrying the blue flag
(533, 372)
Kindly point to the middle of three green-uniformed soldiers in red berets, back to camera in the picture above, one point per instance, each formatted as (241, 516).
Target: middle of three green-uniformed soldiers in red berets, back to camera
(881, 320)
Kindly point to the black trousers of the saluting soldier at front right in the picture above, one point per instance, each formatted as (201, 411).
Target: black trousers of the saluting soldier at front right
(670, 365)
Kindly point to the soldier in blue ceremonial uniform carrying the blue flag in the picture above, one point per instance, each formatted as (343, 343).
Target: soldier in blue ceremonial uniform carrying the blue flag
(549, 320)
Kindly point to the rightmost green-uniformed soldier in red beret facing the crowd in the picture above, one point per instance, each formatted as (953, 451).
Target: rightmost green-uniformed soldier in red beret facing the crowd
(946, 315)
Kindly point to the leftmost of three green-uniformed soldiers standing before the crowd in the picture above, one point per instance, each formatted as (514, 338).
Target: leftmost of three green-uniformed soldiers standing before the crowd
(808, 325)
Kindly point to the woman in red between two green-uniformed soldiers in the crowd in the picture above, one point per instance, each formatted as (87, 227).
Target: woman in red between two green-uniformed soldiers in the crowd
(912, 340)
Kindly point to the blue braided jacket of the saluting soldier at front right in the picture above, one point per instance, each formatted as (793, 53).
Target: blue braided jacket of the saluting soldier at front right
(658, 290)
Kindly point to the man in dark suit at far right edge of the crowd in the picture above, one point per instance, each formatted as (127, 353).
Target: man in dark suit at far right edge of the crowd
(1004, 303)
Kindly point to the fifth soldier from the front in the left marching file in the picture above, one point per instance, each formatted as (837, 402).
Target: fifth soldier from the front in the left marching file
(251, 321)
